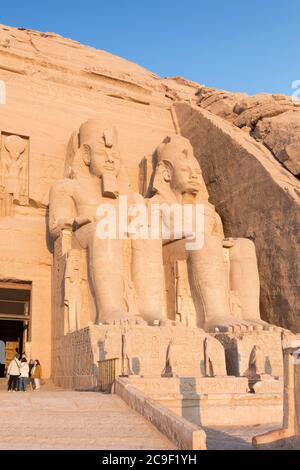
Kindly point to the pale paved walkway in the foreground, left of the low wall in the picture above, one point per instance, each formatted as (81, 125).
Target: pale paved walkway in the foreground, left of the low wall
(73, 420)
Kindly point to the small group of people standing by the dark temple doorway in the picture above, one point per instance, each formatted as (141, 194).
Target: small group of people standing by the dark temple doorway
(22, 373)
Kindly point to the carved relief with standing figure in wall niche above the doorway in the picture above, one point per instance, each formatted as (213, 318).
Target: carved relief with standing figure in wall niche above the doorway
(14, 167)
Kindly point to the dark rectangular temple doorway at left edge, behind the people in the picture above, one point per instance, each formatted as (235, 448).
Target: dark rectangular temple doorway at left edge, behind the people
(14, 320)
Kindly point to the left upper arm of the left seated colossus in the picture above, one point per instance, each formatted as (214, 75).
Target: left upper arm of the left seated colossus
(61, 207)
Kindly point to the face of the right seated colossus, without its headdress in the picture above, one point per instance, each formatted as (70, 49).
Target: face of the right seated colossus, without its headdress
(186, 175)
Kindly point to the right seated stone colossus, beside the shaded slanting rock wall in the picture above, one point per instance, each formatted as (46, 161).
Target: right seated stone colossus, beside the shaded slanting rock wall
(223, 301)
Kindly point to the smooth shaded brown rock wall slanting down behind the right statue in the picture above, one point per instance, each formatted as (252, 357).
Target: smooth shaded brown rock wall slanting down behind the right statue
(257, 199)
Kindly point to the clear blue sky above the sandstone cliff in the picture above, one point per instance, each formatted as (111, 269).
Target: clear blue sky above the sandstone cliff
(250, 46)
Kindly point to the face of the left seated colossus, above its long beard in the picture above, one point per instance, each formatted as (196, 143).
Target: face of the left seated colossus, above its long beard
(104, 159)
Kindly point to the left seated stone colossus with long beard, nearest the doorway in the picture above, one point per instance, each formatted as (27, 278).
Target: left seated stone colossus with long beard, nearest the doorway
(94, 176)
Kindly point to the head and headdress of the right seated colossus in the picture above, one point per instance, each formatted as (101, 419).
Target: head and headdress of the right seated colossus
(177, 167)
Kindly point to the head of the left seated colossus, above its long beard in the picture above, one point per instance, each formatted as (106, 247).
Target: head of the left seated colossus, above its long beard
(98, 144)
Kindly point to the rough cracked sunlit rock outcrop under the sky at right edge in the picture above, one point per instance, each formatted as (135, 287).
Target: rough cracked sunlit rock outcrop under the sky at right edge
(273, 120)
